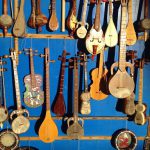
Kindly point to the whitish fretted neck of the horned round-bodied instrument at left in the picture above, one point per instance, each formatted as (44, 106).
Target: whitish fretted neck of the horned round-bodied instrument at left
(17, 88)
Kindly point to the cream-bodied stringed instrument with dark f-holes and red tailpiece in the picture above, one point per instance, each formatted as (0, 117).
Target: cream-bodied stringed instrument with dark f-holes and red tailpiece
(95, 35)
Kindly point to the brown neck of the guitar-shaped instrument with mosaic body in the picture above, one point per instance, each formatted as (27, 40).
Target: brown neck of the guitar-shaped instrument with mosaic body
(32, 68)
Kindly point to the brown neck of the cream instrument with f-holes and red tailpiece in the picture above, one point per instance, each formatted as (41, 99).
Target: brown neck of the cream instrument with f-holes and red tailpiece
(97, 16)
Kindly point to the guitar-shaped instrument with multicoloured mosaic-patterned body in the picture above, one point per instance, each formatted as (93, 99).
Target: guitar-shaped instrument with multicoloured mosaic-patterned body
(33, 96)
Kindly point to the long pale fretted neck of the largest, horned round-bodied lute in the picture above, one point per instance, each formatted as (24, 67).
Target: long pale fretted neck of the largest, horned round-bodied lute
(122, 54)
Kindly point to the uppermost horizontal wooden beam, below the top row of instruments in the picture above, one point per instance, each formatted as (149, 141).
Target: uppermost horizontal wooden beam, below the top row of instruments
(52, 36)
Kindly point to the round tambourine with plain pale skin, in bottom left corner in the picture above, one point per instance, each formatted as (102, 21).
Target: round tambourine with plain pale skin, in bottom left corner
(8, 140)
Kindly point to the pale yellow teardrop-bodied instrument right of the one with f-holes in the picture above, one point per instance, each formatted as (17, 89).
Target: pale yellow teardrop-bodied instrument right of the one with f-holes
(111, 35)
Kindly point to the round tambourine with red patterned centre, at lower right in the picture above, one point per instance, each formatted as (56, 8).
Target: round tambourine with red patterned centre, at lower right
(125, 140)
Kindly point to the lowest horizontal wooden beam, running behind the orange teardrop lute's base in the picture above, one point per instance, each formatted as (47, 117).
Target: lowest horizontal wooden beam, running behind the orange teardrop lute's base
(70, 138)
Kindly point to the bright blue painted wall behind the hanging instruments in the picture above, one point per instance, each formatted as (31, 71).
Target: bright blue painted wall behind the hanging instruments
(105, 107)
